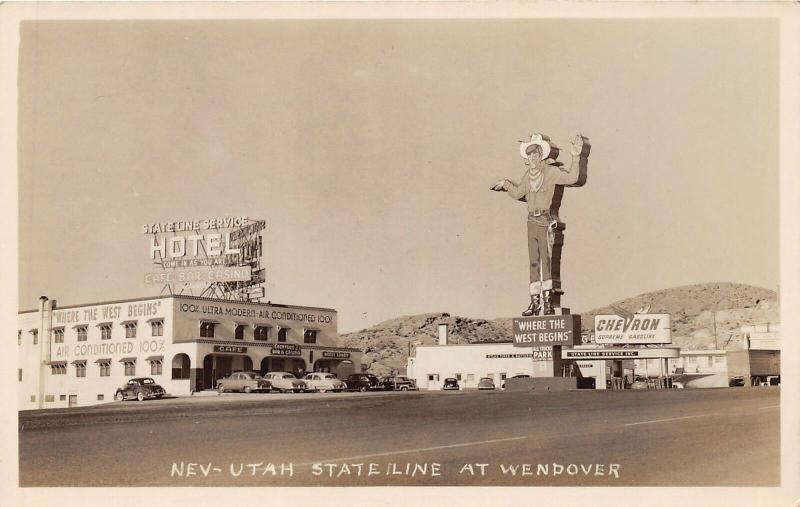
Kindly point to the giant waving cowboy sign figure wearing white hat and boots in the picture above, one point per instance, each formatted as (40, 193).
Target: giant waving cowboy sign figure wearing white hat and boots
(537, 187)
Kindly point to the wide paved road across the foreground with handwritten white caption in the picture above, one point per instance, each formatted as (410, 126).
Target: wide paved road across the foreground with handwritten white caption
(710, 437)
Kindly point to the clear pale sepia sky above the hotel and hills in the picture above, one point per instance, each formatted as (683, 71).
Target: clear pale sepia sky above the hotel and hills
(369, 147)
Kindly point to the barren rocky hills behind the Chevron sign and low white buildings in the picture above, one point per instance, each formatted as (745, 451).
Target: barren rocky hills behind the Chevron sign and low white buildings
(704, 316)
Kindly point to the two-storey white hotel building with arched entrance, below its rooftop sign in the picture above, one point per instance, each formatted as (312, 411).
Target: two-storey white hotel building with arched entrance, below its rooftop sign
(79, 355)
